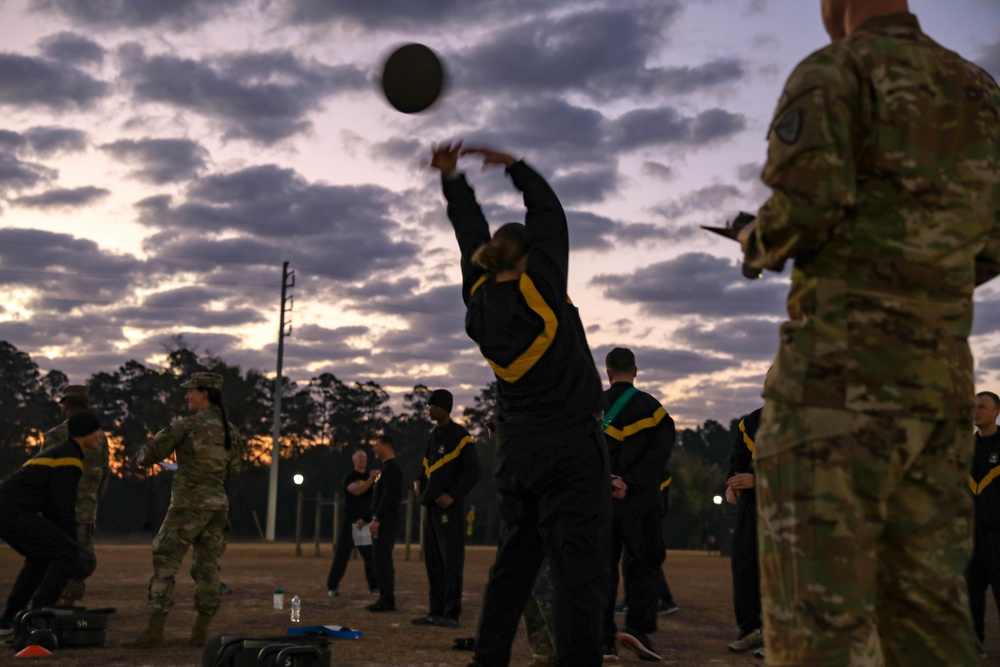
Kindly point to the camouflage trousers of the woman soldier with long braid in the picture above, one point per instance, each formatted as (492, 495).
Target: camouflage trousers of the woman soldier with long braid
(206, 531)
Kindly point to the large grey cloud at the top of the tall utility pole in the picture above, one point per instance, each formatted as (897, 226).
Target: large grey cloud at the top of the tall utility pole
(344, 233)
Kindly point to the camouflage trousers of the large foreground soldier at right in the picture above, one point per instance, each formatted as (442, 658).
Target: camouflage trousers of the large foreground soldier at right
(864, 528)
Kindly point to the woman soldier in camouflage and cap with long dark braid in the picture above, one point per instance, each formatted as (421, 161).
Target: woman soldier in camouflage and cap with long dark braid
(209, 453)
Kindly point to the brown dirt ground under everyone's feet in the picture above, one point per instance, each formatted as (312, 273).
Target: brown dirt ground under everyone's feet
(697, 635)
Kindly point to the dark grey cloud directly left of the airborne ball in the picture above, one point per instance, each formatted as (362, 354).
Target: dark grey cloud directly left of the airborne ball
(260, 97)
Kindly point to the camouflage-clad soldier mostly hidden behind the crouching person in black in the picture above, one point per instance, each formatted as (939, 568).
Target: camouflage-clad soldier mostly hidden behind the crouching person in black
(93, 481)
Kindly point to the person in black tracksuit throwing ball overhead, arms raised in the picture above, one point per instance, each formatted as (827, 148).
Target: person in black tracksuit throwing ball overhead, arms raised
(552, 465)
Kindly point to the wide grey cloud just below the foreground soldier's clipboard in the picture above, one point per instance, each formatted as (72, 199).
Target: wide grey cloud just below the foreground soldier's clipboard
(695, 284)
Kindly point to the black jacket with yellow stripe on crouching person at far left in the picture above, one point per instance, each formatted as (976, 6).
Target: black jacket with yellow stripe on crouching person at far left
(46, 484)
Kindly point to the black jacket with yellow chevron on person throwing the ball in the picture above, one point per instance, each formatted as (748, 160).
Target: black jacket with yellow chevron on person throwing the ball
(528, 330)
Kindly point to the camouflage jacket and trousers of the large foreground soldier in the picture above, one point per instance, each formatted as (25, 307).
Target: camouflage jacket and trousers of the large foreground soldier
(884, 161)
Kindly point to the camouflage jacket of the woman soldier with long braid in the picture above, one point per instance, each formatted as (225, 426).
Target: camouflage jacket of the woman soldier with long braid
(204, 464)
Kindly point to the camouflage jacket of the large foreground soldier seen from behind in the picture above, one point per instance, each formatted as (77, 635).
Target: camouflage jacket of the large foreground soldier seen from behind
(884, 162)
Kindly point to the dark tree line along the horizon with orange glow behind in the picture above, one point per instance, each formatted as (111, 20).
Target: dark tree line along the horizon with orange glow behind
(322, 422)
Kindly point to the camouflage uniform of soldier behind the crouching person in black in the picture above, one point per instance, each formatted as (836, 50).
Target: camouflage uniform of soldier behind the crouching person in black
(93, 484)
